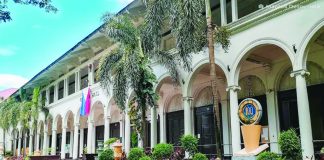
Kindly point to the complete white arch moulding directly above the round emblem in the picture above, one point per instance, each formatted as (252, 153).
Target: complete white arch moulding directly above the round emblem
(244, 53)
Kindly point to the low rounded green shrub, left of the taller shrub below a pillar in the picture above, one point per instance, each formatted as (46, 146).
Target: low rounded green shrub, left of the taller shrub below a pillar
(162, 151)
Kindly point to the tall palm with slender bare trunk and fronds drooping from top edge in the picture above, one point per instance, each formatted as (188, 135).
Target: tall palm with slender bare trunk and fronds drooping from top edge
(188, 25)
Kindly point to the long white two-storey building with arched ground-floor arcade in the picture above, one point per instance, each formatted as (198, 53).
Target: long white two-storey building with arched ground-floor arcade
(276, 56)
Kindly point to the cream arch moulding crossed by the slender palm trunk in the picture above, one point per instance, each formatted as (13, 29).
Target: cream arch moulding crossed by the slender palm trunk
(196, 68)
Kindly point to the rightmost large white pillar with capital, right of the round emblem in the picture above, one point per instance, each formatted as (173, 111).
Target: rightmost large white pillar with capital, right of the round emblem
(305, 124)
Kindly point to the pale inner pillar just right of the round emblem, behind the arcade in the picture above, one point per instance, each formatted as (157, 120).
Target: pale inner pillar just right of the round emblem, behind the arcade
(272, 120)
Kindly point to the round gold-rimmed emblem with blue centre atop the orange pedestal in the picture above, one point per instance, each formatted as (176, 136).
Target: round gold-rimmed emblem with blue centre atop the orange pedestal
(250, 111)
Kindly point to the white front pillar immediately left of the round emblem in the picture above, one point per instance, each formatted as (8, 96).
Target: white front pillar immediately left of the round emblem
(235, 123)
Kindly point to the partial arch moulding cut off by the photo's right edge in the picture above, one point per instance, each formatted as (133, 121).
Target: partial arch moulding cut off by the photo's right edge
(308, 38)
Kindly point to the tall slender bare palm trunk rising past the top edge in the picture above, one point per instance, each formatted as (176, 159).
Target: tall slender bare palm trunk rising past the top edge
(210, 31)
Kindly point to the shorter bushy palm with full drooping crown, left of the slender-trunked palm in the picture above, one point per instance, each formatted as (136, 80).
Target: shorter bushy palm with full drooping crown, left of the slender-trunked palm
(127, 67)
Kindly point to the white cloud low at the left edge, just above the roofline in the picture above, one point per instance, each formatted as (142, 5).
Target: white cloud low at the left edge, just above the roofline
(11, 81)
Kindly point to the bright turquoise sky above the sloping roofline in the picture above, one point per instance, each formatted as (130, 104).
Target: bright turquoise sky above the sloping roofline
(35, 38)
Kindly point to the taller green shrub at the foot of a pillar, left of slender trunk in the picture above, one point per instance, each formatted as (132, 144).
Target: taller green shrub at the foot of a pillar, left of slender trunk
(190, 144)
